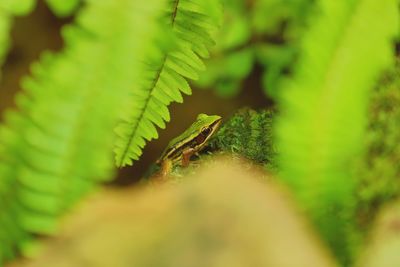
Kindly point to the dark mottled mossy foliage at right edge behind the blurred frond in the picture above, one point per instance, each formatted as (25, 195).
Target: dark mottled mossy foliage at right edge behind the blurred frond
(379, 171)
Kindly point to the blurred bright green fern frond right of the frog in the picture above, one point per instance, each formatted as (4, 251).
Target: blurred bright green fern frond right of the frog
(320, 128)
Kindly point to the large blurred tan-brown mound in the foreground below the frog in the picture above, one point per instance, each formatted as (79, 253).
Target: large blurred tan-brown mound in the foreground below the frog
(225, 215)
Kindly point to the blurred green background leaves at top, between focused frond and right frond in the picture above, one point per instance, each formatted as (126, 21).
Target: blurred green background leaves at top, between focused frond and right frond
(259, 32)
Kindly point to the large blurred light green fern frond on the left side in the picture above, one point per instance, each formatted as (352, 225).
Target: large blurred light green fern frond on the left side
(59, 144)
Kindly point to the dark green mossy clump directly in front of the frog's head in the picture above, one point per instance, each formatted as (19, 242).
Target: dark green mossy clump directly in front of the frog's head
(249, 134)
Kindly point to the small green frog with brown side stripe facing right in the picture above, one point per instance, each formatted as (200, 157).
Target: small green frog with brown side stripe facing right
(181, 148)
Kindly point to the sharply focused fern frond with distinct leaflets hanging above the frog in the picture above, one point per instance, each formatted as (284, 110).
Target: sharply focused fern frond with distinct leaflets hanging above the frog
(192, 23)
